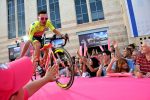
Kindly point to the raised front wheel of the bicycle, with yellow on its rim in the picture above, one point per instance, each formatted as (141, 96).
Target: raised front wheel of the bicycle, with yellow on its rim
(66, 68)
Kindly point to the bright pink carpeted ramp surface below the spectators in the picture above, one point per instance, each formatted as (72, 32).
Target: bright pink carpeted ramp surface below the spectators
(98, 89)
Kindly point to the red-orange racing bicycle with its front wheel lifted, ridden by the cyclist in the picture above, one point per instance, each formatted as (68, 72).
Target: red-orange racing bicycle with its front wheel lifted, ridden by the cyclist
(57, 54)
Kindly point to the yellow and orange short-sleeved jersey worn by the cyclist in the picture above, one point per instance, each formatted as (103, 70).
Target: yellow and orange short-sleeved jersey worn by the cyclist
(38, 30)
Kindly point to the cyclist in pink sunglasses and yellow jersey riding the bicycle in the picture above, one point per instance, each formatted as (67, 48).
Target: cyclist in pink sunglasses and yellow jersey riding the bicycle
(36, 31)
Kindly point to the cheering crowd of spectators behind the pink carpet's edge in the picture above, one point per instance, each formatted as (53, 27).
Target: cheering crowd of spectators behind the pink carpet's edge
(131, 60)
